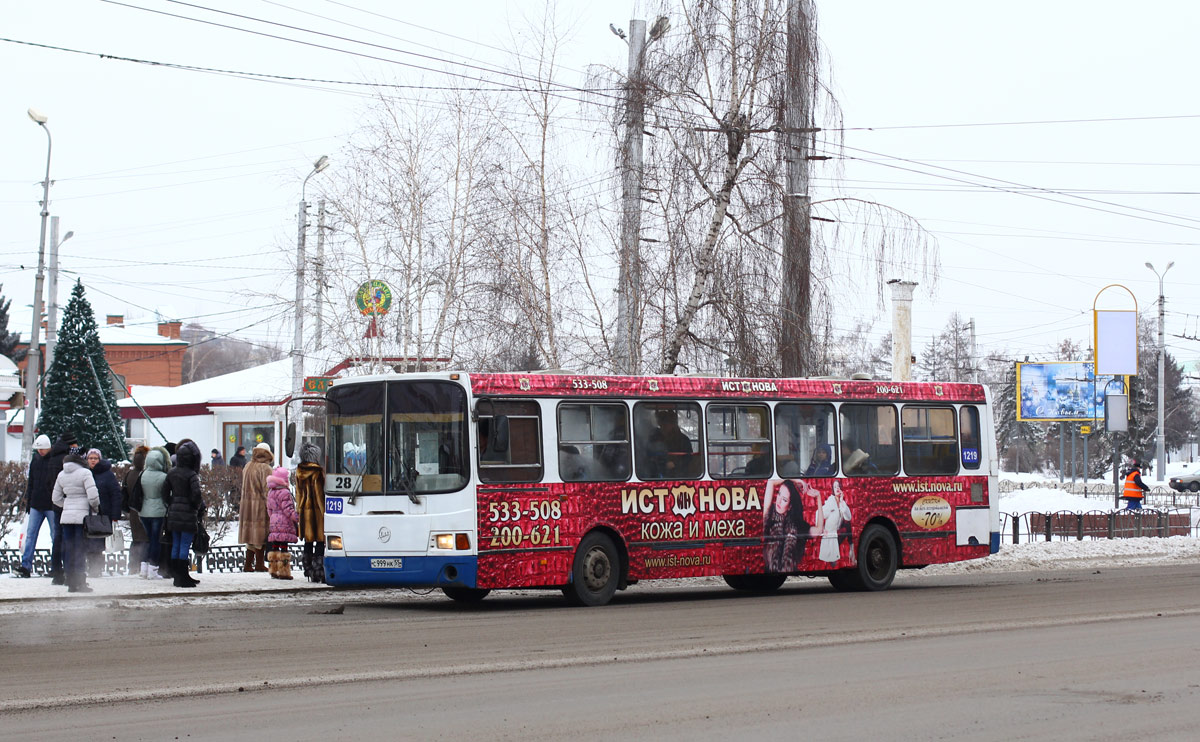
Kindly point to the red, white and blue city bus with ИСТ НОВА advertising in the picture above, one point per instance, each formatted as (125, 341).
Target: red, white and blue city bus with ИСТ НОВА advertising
(587, 484)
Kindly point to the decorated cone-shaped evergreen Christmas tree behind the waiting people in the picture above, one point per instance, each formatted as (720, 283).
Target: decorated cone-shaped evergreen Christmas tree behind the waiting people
(75, 399)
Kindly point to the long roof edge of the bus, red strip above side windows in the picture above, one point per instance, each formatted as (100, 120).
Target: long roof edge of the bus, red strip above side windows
(561, 385)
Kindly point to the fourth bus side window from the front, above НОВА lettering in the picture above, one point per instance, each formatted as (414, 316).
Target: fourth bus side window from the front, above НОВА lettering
(740, 441)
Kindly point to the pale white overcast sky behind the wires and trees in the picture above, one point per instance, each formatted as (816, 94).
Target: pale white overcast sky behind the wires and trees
(1051, 147)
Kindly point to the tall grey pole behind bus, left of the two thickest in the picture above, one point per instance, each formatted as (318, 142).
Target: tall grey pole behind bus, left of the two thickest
(629, 285)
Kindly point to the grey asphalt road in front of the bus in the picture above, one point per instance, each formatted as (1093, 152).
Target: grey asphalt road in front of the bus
(1089, 655)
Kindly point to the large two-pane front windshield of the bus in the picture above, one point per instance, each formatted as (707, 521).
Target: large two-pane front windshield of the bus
(398, 439)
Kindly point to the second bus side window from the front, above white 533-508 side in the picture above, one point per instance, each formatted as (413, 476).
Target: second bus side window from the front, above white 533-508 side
(593, 442)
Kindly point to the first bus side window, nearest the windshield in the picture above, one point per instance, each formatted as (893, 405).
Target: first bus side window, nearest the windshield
(521, 459)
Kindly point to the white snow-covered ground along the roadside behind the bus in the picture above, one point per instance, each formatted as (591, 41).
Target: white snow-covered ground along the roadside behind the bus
(17, 595)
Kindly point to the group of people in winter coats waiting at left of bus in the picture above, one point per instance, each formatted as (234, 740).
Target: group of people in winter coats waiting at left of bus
(161, 498)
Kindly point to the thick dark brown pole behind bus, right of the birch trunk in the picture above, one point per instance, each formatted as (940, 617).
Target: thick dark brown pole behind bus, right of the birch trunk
(796, 340)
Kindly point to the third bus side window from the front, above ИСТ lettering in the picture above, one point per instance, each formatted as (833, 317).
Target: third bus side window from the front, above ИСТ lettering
(668, 441)
